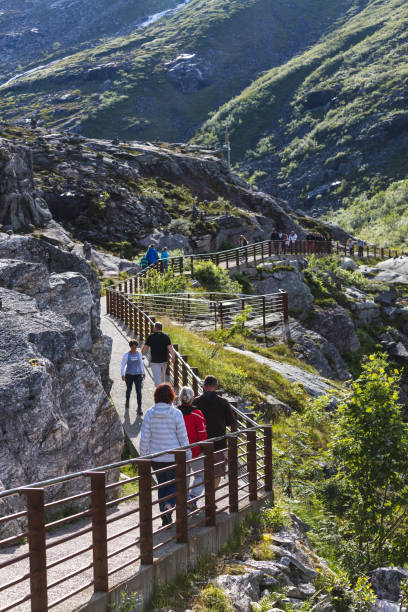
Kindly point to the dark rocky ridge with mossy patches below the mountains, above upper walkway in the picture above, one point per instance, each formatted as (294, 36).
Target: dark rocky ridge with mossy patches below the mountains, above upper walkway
(122, 196)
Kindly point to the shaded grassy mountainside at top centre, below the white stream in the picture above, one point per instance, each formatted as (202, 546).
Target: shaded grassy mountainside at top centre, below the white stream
(239, 38)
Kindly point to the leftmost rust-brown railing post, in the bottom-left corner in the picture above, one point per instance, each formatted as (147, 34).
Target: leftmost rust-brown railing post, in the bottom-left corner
(37, 549)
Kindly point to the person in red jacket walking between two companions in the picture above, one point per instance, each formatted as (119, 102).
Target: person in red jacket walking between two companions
(197, 432)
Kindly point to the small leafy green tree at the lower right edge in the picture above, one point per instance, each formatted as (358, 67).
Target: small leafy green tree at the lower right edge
(370, 448)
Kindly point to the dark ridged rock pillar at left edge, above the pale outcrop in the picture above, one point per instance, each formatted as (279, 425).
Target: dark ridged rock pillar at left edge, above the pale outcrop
(19, 204)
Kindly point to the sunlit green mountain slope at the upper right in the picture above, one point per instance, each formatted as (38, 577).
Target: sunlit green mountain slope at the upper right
(332, 121)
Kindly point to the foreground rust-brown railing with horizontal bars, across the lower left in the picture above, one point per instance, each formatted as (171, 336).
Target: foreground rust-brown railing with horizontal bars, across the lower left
(102, 540)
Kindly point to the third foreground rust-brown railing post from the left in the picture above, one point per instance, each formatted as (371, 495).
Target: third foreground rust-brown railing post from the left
(146, 517)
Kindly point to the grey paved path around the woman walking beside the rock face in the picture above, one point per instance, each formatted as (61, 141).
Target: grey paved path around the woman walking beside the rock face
(120, 336)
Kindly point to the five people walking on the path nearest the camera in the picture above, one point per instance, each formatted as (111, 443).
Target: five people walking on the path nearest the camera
(174, 422)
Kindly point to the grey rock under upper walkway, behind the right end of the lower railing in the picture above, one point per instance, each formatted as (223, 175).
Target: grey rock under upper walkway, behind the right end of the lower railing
(300, 296)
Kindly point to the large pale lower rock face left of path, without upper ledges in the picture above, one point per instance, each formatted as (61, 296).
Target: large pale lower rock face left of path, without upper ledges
(56, 417)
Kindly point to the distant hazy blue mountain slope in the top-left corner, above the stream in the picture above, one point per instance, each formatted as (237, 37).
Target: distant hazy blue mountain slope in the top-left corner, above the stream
(32, 31)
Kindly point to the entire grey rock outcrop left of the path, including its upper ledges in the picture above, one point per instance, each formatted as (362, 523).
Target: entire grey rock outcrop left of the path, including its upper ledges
(56, 416)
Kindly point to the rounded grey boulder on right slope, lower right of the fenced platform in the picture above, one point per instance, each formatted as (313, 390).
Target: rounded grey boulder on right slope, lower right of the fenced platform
(336, 325)
